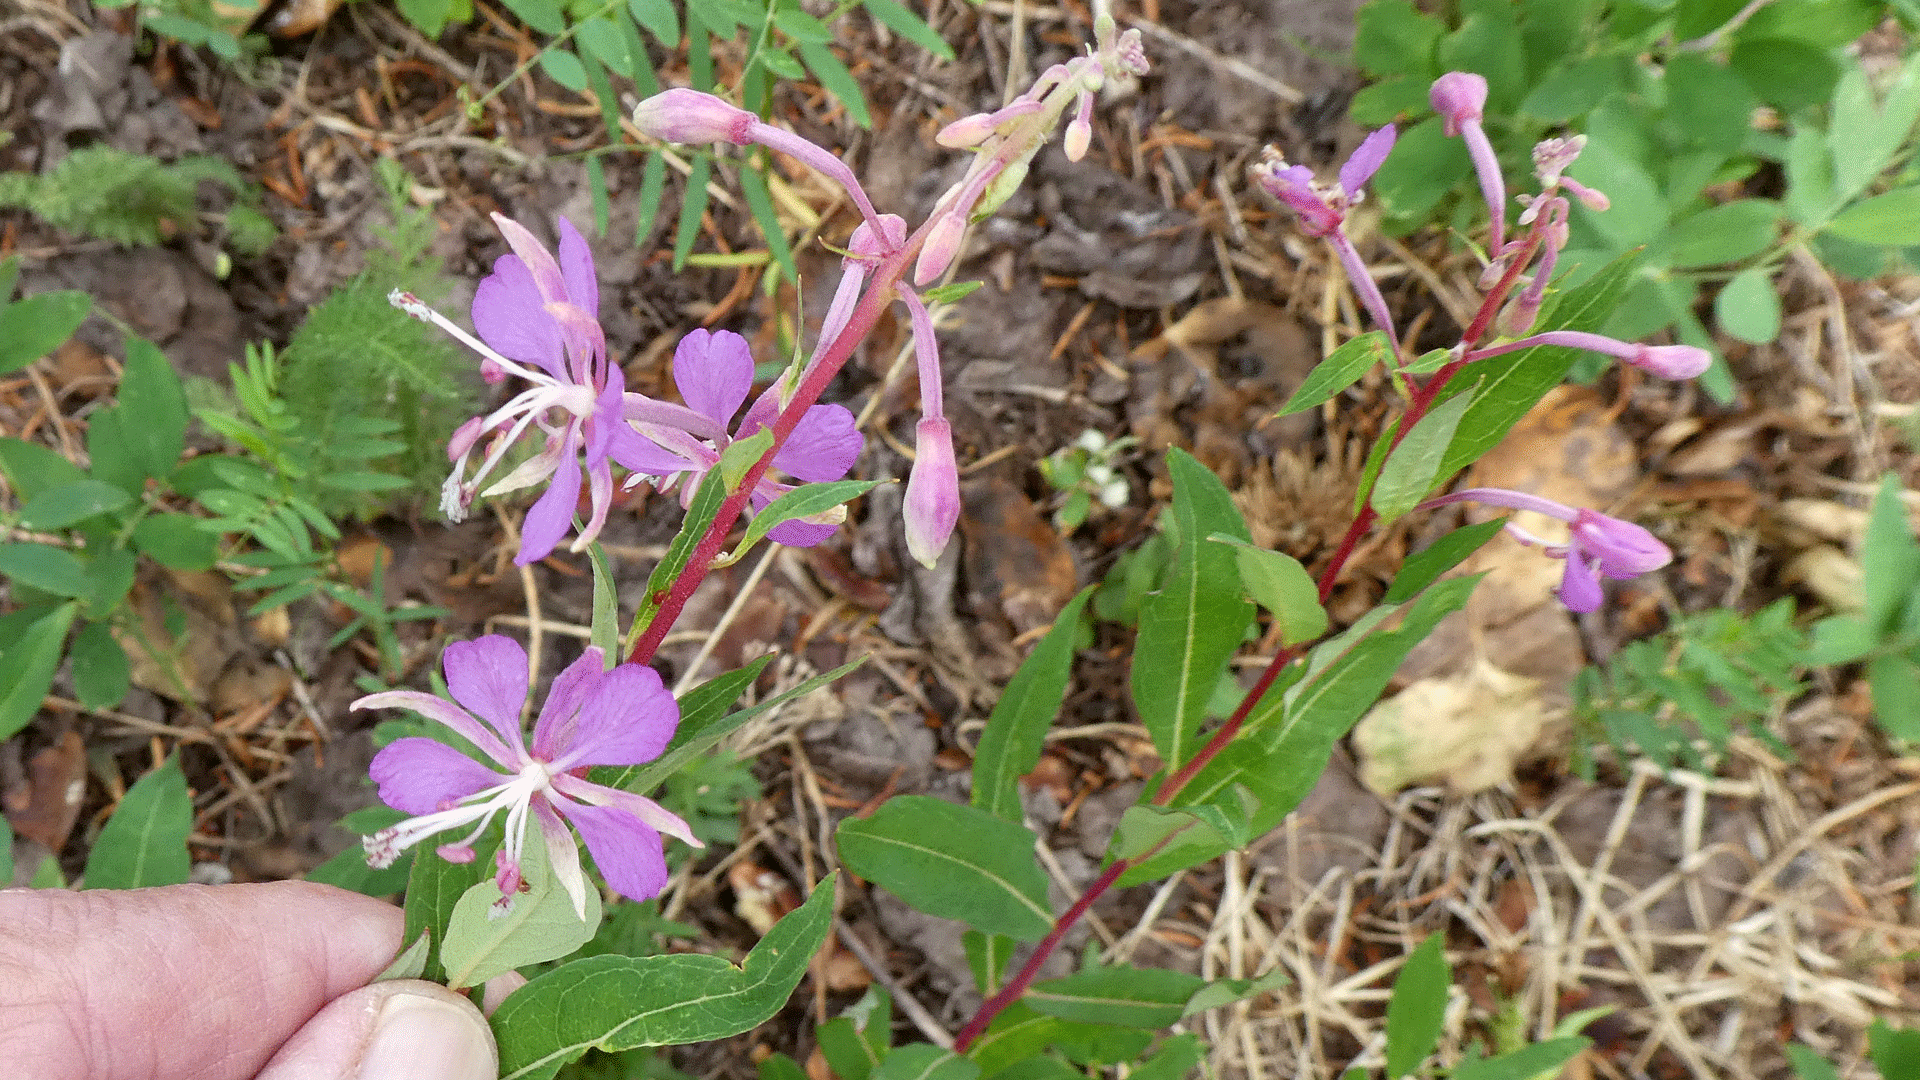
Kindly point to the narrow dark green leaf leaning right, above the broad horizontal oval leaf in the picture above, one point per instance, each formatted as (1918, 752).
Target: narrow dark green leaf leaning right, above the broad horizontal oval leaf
(1017, 731)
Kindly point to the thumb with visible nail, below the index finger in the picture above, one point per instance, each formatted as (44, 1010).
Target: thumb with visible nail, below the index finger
(391, 1031)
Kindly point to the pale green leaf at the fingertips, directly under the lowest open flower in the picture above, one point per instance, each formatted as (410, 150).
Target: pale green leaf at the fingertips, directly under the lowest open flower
(540, 925)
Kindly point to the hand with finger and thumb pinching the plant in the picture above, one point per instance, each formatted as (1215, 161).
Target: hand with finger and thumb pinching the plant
(222, 983)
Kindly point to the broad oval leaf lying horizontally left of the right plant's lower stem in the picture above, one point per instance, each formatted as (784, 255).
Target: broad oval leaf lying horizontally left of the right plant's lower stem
(951, 862)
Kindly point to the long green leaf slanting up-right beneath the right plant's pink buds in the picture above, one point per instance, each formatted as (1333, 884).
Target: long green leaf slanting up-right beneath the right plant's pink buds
(1512, 385)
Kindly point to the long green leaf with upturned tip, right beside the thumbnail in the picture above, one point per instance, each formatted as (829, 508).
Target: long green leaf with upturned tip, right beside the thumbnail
(615, 1004)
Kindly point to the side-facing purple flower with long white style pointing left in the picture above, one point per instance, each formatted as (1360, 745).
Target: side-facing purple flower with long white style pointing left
(539, 318)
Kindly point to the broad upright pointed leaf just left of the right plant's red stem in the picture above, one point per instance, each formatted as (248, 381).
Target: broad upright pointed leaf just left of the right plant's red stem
(1195, 624)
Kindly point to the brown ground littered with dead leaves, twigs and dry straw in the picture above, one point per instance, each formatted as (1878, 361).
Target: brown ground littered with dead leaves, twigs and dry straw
(1147, 293)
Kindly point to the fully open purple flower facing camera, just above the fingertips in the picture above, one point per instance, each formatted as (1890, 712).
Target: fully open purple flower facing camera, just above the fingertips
(592, 718)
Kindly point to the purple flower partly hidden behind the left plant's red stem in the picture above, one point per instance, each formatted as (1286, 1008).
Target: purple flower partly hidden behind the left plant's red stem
(715, 376)
